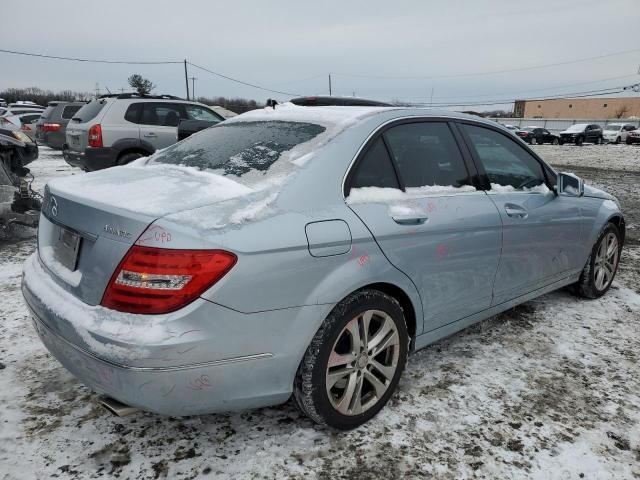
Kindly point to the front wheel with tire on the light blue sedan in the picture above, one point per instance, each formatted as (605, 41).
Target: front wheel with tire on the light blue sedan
(591, 284)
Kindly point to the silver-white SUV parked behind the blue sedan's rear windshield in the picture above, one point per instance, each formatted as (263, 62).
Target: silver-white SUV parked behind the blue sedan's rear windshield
(117, 129)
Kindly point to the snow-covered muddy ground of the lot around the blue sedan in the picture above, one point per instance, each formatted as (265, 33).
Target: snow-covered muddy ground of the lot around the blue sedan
(549, 390)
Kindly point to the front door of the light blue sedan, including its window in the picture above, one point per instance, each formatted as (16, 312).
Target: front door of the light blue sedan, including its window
(540, 229)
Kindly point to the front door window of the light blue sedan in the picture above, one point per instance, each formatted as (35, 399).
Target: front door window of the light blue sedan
(507, 164)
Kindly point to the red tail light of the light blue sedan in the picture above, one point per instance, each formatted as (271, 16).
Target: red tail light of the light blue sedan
(159, 280)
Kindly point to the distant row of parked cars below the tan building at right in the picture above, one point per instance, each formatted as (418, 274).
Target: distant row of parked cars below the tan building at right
(578, 134)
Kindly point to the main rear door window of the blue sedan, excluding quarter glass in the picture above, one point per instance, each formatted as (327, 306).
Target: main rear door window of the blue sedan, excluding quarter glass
(427, 155)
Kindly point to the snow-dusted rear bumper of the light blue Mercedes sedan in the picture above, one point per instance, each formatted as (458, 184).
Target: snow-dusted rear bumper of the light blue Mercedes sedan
(202, 359)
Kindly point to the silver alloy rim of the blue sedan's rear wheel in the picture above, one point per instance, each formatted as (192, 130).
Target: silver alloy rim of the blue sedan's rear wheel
(363, 362)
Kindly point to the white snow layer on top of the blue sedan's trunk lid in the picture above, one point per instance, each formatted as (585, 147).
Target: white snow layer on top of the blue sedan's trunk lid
(154, 190)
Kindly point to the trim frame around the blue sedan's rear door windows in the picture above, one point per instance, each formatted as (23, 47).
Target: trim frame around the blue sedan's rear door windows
(381, 129)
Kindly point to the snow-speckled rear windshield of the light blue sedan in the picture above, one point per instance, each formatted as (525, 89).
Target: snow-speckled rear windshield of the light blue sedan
(239, 148)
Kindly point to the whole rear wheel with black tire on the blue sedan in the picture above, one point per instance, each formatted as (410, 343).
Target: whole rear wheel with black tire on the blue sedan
(327, 400)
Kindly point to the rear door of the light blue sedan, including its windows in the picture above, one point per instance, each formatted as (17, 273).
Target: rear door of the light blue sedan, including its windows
(428, 219)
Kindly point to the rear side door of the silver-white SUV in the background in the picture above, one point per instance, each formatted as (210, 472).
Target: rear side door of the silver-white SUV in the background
(159, 123)
